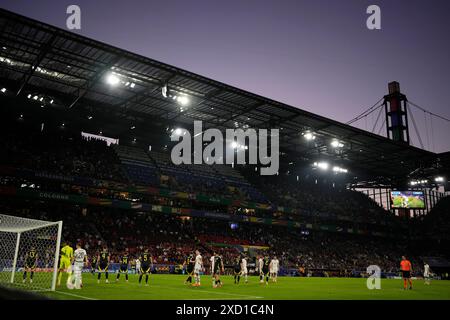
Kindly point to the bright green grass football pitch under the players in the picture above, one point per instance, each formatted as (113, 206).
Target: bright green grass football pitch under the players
(171, 287)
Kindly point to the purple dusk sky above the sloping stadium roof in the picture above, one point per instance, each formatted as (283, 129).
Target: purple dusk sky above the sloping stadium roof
(315, 55)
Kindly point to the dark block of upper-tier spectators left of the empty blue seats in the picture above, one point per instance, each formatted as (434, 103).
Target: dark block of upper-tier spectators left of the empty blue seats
(67, 155)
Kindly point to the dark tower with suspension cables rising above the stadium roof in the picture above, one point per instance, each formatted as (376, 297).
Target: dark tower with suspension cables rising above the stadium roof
(396, 114)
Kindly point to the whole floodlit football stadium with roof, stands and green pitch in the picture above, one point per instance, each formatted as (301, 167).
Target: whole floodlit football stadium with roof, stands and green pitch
(87, 134)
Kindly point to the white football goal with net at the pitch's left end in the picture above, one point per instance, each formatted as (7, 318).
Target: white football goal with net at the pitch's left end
(19, 236)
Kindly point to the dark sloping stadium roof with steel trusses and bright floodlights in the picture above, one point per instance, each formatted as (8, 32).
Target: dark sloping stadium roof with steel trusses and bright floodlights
(72, 69)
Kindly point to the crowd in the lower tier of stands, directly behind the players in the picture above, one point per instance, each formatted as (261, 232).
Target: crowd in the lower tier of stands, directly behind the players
(171, 238)
